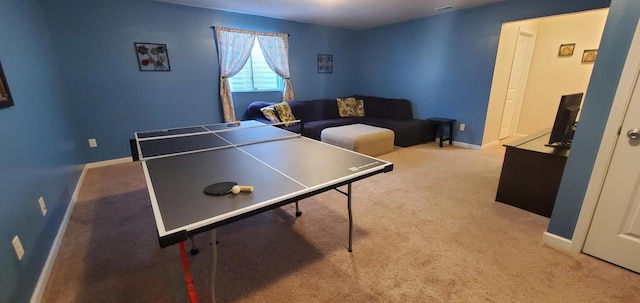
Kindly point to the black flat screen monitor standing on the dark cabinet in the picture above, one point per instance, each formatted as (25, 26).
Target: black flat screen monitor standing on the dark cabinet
(564, 125)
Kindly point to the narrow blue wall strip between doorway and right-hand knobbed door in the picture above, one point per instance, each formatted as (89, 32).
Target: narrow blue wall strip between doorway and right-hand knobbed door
(614, 46)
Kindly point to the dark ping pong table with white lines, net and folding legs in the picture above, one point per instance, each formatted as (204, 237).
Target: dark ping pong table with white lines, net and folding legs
(282, 166)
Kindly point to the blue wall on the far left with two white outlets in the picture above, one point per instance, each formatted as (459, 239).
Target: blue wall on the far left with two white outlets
(38, 156)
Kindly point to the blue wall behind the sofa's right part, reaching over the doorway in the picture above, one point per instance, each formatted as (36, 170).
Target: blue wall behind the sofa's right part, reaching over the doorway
(444, 64)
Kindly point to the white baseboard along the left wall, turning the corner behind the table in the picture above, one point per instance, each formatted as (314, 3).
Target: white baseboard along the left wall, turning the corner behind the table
(38, 292)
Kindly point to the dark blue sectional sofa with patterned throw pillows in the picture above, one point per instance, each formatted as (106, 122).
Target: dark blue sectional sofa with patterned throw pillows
(393, 114)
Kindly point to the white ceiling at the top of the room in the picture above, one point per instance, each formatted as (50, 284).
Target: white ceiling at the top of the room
(351, 14)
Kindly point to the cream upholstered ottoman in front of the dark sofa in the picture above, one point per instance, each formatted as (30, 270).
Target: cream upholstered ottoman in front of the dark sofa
(365, 139)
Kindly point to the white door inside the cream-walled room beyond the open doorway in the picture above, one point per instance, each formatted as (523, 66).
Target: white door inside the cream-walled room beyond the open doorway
(517, 83)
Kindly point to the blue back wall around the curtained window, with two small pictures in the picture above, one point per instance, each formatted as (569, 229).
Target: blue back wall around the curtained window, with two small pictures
(112, 99)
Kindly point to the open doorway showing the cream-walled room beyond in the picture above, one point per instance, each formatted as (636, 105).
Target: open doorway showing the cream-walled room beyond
(549, 76)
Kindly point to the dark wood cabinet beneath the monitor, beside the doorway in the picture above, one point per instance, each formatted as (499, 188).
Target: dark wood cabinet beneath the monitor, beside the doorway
(531, 173)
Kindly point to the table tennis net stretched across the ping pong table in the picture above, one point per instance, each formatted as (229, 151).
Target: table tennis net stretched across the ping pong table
(186, 140)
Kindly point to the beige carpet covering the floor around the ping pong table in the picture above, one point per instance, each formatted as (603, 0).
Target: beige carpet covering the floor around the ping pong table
(429, 231)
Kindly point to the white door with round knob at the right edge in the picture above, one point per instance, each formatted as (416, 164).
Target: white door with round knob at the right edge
(614, 234)
